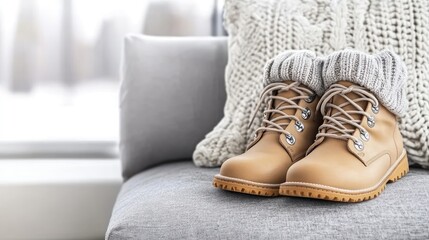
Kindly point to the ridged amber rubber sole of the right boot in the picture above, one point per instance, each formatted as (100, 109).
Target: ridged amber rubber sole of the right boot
(326, 193)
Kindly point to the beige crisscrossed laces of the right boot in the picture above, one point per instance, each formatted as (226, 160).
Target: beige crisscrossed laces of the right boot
(334, 124)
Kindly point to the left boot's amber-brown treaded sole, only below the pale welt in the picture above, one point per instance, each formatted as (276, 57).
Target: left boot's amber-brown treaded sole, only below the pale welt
(246, 188)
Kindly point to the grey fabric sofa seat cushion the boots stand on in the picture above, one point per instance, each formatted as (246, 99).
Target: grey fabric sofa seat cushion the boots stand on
(177, 201)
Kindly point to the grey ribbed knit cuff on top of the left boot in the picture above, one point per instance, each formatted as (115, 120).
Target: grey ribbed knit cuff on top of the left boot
(298, 65)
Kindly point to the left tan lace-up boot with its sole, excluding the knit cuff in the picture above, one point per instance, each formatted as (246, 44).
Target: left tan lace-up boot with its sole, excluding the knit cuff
(288, 128)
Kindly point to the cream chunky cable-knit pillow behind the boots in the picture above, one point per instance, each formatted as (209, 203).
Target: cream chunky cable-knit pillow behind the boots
(261, 29)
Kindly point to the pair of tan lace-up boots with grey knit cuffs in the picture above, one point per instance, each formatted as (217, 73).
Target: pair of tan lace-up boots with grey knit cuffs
(329, 129)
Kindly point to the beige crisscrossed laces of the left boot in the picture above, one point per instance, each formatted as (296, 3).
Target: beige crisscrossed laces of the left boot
(271, 93)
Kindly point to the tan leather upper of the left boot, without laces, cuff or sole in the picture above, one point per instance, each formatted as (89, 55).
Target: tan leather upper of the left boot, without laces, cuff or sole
(269, 156)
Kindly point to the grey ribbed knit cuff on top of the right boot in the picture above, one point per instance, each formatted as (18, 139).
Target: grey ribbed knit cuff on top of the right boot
(384, 74)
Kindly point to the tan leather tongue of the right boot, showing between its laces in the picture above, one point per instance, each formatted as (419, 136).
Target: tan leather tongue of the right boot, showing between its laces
(339, 99)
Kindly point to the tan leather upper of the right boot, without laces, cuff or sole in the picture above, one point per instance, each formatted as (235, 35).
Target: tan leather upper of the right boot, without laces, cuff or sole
(337, 163)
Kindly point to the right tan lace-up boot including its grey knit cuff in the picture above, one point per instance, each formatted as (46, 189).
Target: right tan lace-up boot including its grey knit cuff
(359, 147)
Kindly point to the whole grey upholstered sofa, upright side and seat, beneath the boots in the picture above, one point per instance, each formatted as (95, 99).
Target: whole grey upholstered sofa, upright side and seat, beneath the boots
(172, 93)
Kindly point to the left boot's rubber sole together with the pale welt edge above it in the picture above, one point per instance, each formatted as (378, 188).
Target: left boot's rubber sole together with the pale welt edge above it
(244, 186)
